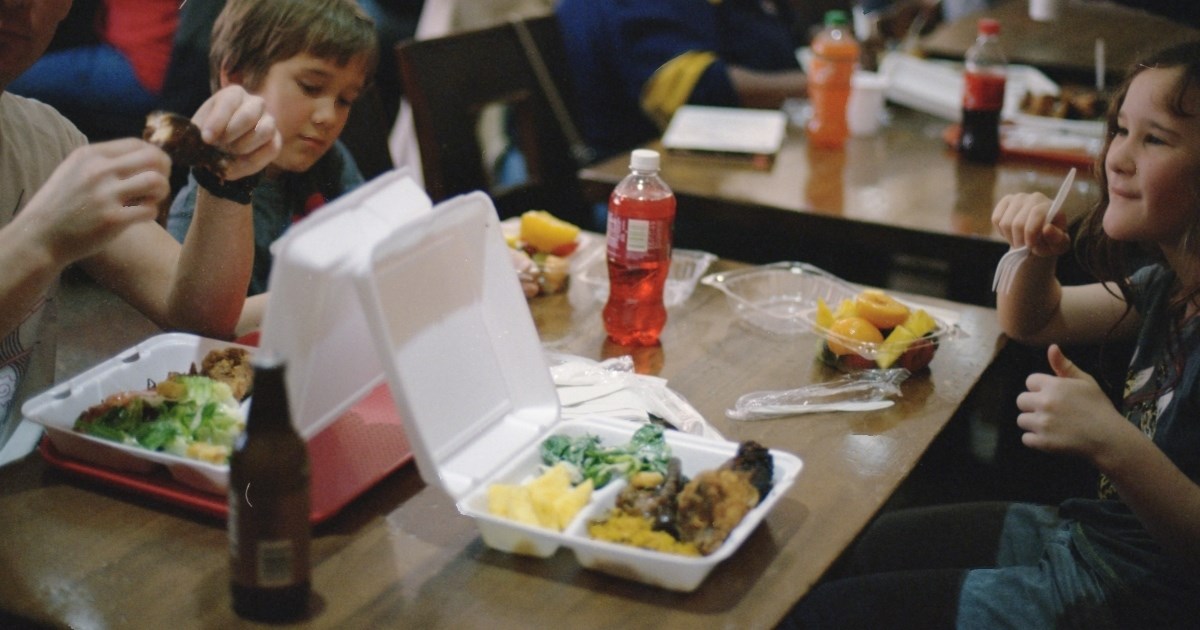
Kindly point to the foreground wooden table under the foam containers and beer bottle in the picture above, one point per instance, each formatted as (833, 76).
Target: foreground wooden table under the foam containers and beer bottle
(79, 553)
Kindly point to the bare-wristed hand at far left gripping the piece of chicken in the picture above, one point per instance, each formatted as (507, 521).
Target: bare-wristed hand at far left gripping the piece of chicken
(98, 193)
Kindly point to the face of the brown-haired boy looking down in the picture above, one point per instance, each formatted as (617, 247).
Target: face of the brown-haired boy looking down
(310, 99)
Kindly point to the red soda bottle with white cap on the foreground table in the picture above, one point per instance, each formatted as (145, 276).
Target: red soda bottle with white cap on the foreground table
(641, 219)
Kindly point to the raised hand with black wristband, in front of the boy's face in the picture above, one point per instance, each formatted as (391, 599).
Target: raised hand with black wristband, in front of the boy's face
(238, 123)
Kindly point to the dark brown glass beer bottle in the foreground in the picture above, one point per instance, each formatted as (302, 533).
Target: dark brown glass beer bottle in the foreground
(269, 527)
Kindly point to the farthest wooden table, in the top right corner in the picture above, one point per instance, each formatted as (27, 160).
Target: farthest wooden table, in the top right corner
(1065, 49)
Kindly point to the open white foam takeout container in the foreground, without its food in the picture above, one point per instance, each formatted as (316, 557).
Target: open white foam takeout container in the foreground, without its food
(469, 374)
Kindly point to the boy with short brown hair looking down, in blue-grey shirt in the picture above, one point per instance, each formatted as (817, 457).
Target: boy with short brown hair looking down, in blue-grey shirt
(309, 62)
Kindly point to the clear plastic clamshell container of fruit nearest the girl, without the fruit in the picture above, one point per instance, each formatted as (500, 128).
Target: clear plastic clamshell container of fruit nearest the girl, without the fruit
(782, 298)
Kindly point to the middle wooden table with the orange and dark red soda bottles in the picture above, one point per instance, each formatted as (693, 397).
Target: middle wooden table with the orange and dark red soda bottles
(901, 195)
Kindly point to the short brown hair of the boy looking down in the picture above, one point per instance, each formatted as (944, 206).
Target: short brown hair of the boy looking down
(250, 37)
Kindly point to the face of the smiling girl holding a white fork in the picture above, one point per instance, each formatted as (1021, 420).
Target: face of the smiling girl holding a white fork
(1154, 164)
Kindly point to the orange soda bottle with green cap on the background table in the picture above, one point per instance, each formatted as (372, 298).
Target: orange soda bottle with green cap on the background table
(836, 55)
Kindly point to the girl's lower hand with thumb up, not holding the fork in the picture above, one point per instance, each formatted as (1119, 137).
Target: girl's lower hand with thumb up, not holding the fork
(1069, 413)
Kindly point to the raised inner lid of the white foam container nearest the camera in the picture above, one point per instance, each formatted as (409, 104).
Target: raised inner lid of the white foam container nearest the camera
(460, 347)
